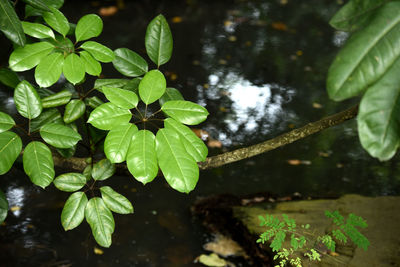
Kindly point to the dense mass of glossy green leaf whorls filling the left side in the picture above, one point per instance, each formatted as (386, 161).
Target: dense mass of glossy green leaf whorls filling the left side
(114, 111)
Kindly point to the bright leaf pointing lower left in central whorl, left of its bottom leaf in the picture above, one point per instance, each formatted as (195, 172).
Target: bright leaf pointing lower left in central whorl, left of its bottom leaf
(117, 142)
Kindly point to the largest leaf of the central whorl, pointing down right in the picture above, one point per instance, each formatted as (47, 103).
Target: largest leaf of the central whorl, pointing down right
(179, 168)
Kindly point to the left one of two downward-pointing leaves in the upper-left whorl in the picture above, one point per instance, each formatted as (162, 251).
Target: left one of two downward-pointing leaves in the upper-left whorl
(49, 69)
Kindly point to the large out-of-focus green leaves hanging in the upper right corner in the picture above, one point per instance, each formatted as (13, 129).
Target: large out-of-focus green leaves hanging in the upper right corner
(369, 64)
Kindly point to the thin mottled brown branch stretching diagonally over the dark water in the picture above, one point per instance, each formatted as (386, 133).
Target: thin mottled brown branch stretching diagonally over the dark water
(243, 153)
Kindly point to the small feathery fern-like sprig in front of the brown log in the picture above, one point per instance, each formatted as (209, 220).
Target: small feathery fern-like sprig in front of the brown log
(305, 242)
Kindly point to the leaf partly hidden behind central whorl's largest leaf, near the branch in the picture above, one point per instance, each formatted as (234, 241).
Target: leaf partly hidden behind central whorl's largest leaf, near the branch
(193, 145)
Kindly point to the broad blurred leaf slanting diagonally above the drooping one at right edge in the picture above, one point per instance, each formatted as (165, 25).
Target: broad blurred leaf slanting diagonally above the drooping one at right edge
(367, 55)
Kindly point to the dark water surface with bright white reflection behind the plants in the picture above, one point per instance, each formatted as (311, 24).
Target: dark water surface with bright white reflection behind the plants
(259, 67)
